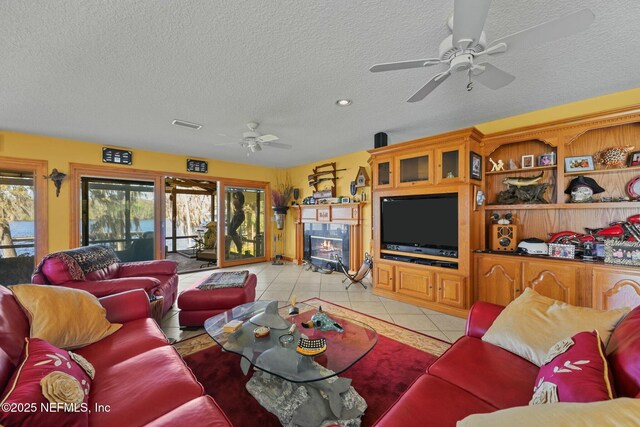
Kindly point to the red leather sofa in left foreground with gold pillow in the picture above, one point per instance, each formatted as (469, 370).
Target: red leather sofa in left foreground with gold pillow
(138, 374)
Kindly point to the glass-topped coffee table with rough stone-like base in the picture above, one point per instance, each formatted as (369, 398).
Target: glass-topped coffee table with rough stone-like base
(281, 371)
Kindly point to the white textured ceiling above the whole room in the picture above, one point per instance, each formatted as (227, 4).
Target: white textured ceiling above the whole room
(118, 72)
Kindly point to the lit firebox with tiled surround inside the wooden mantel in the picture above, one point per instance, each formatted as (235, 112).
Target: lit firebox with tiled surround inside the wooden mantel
(323, 243)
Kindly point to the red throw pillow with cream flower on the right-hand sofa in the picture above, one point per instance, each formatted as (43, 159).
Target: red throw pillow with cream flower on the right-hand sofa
(575, 370)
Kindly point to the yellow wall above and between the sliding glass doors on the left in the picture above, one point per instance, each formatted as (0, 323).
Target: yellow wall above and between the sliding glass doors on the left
(60, 152)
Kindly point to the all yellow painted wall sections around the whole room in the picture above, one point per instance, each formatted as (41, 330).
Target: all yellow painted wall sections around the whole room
(60, 152)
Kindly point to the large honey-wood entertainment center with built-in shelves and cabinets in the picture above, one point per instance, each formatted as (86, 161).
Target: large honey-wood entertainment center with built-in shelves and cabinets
(441, 164)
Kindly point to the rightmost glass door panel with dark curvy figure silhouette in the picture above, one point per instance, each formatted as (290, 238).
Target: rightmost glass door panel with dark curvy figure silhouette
(244, 223)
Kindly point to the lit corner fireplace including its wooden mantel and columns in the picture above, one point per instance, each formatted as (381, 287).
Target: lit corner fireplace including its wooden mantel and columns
(324, 231)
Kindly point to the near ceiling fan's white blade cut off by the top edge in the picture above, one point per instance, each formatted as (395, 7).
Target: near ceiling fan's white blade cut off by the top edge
(468, 21)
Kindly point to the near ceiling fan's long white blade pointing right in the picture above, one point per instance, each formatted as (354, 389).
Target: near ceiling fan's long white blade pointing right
(548, 31)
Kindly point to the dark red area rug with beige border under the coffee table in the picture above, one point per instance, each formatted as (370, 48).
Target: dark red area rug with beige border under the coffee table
(399, 357)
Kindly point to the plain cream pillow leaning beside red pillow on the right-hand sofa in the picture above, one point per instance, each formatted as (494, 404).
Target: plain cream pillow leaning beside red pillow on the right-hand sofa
(532, 323)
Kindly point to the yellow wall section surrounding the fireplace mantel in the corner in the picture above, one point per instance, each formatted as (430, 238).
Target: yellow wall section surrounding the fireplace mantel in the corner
(299, 178)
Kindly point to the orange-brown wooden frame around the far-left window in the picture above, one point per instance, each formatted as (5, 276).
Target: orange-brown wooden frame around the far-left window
(39, 169)
